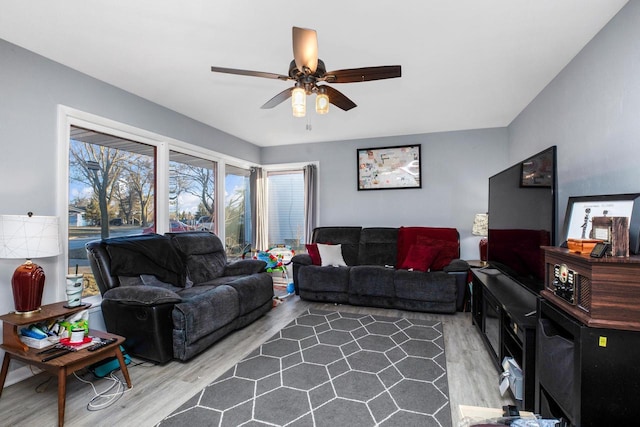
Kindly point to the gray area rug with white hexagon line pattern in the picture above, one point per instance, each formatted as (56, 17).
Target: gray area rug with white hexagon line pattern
(330, 368)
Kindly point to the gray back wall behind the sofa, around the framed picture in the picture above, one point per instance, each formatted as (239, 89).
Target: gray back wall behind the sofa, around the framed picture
(455, 171)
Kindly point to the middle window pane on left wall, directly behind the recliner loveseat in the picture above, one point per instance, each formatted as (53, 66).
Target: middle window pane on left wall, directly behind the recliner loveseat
(191, 193)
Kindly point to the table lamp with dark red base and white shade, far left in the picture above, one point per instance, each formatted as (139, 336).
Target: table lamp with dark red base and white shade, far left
(28, 236)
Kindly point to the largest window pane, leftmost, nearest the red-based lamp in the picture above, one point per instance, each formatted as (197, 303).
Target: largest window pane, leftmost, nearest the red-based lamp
(111, 193)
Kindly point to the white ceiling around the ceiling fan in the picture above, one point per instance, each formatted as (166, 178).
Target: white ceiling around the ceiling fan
(466, 64)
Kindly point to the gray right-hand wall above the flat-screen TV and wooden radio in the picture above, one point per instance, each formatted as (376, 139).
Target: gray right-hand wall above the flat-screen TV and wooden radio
(591, 111)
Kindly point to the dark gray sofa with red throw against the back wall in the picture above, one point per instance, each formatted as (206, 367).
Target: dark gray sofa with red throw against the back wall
(371, 277)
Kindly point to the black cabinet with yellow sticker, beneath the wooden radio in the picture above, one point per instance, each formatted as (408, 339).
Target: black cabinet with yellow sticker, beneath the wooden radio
(589, 376)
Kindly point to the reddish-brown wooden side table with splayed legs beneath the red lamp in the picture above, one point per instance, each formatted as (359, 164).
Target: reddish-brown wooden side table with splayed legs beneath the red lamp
(61, 366)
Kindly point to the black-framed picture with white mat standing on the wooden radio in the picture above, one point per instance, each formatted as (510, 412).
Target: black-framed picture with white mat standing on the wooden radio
(594, 217)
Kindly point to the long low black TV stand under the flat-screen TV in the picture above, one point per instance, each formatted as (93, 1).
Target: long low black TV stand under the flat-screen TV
(504, 314)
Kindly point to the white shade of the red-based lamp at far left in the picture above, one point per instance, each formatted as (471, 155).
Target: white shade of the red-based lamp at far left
(27, 237)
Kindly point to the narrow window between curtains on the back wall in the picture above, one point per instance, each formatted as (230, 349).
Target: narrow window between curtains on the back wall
(286, 208)
